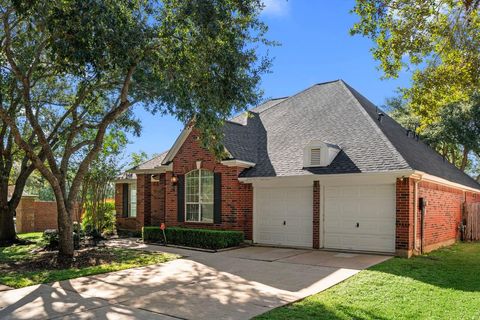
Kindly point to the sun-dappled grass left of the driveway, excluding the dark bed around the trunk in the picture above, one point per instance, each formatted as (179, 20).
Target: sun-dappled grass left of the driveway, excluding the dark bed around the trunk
(124, 259)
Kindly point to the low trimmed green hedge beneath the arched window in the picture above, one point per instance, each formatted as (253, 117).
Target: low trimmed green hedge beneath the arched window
(198, 238)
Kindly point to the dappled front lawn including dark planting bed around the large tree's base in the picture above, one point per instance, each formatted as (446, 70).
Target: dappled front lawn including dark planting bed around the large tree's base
(25, 265)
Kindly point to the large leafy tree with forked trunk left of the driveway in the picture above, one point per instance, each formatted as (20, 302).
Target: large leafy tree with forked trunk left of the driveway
(193, 59)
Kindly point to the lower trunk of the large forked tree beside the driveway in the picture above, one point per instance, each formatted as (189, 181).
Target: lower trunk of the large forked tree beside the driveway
(65, 230)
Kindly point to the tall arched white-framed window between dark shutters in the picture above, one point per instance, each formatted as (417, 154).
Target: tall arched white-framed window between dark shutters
(199, 196)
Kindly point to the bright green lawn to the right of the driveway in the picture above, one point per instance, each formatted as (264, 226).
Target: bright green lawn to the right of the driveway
(442, 285)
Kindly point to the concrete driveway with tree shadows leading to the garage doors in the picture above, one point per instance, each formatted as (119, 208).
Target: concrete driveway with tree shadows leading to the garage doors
(236, 284)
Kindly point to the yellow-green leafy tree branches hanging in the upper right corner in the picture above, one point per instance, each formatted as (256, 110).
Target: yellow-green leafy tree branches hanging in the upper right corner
(438, 40)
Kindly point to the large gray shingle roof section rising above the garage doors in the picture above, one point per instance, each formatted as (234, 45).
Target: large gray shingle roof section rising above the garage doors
(332, 112)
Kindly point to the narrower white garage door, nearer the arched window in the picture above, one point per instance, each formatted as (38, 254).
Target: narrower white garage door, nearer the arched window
(283, 216)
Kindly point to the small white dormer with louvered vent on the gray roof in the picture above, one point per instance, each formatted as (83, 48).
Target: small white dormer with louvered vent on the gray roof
(319, 153)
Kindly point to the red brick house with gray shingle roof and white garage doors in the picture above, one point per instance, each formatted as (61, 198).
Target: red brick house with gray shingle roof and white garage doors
(322, 169)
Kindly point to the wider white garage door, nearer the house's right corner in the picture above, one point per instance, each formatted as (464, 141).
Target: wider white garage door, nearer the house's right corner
(360, 218)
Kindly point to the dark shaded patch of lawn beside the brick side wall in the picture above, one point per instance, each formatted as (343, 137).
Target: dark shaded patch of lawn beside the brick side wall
(455, 267)
